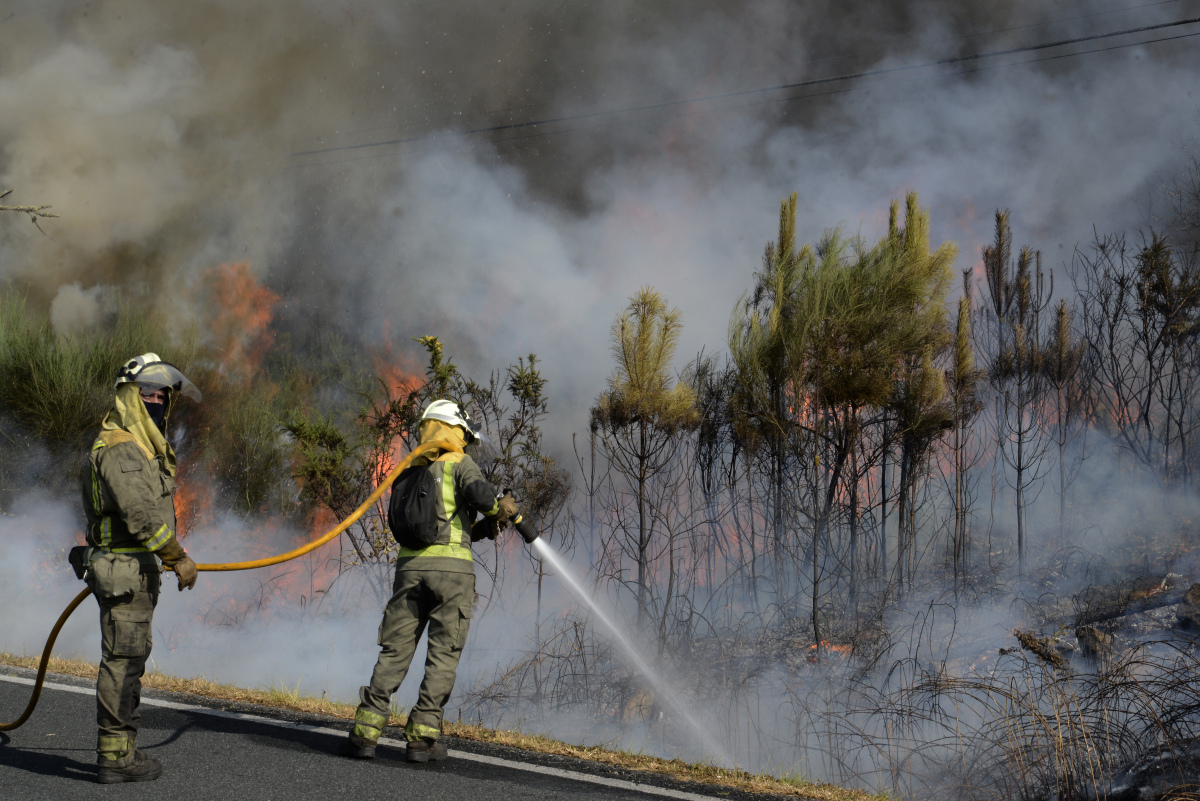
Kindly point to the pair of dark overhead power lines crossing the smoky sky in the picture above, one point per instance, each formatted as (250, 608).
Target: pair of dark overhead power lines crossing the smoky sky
(779, 88)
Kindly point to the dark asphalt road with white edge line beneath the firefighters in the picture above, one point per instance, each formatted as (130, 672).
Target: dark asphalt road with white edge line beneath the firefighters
(251, 754)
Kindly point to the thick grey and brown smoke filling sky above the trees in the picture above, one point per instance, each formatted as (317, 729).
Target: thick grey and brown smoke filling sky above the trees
(166, 138)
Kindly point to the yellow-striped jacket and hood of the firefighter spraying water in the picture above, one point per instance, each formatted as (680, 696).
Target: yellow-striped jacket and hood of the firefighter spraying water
(465, 492)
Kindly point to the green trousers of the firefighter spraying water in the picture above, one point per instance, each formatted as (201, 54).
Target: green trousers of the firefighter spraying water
(422, 599)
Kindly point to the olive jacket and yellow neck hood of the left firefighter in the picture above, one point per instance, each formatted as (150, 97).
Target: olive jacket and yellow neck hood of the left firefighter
(129, 484)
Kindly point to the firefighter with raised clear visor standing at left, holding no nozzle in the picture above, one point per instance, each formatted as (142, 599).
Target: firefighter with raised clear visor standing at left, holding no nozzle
(129, 485)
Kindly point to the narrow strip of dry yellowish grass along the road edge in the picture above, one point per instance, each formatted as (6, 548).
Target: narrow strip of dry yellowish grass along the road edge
(292, 700)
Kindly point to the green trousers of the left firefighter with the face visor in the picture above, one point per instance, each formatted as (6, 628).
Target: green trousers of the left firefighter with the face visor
(125, 646)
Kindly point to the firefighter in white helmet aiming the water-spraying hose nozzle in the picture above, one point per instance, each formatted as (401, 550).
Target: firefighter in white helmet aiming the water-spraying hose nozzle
(435, 589)
